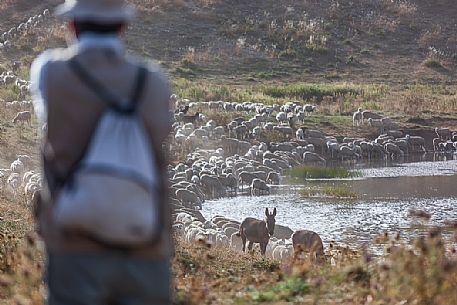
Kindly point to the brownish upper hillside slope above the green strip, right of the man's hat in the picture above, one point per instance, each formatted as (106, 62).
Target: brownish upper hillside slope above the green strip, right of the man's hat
(361, 41)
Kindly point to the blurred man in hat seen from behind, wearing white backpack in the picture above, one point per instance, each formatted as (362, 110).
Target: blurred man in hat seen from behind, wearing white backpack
(92, 258)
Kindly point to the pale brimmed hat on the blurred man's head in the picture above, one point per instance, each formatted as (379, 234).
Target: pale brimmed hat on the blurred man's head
(106, 11)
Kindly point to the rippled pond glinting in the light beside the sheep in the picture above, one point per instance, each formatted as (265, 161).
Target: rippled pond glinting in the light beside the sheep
(384, 196)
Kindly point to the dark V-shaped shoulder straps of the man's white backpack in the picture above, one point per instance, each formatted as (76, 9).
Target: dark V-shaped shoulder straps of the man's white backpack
(106, 96)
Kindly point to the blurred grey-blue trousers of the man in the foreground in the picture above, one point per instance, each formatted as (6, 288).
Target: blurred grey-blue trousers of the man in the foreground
(107, 279)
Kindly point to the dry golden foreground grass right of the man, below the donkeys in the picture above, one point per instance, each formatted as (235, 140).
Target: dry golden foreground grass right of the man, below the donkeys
(421, 273)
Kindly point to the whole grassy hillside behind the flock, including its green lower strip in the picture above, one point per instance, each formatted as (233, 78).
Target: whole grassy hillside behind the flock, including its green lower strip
(396, 57)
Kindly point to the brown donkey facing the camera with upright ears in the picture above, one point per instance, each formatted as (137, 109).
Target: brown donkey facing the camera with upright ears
(257, 231)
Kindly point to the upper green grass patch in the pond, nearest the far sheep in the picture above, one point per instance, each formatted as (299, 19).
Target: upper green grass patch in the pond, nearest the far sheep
(317, 172)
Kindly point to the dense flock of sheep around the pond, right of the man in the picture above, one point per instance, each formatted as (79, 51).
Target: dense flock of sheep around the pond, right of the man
(223, 160)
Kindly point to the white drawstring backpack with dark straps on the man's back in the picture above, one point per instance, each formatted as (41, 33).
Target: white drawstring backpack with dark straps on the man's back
(112, 193)
